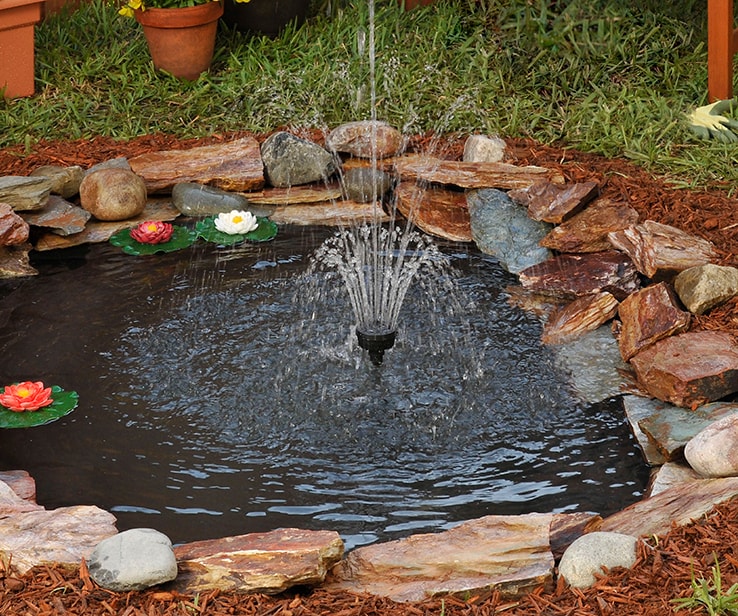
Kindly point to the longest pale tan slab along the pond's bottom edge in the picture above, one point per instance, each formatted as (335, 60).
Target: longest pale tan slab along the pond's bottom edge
(509, 554)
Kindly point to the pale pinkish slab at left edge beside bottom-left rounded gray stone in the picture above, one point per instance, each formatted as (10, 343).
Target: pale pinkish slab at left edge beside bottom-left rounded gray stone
(63, 536)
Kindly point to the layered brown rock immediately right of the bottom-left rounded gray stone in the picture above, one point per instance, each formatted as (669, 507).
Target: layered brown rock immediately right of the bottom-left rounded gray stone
(258, 562)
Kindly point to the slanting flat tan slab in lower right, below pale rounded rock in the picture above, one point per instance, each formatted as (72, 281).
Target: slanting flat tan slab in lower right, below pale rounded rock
(679, 504)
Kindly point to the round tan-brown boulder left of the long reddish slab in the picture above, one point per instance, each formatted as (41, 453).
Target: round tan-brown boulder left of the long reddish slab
(113, 194)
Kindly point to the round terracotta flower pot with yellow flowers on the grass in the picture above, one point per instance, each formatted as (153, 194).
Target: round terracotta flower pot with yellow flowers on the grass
(182, 40)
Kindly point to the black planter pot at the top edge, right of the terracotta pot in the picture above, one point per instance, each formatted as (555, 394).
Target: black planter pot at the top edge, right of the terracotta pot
(267, 17)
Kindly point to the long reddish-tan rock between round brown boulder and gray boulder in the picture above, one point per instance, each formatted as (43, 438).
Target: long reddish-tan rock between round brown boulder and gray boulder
(235, 166)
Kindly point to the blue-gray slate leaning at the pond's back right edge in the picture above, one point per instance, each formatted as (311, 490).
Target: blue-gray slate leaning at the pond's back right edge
(502, 228)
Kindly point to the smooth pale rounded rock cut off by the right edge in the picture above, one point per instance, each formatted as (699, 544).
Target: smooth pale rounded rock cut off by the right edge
(712, 452)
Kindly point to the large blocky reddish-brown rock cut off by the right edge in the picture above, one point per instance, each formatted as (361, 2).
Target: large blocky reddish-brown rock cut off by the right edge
(690, 369)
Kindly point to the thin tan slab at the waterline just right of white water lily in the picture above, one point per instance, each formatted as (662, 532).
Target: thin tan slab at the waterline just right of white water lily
(335, 213)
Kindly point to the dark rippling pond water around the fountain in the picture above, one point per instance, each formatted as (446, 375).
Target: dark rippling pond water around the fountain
(219, 397)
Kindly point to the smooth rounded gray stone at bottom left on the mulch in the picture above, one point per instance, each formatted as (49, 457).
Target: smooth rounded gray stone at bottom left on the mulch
(133, 560)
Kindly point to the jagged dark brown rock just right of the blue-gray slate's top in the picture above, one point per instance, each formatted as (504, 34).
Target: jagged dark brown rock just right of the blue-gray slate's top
(554, 203)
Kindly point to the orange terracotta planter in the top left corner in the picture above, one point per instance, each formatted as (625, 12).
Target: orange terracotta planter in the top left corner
(17, 21)
